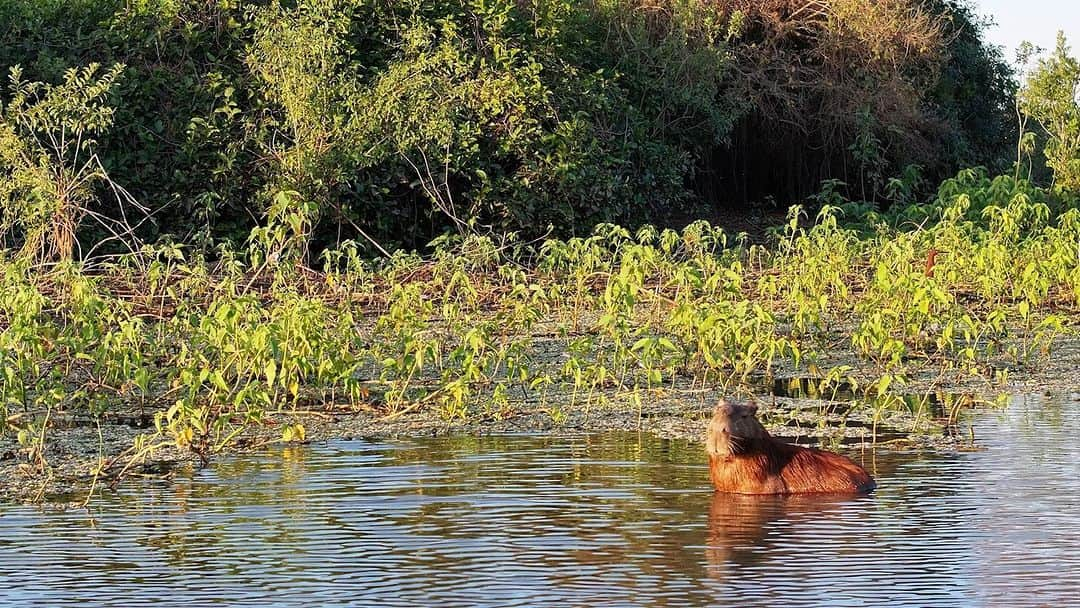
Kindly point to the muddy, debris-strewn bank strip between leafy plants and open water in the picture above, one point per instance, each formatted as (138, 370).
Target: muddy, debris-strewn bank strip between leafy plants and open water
(86, 455)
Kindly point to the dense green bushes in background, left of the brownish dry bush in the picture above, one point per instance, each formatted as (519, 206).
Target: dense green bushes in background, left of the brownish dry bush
(397, 119)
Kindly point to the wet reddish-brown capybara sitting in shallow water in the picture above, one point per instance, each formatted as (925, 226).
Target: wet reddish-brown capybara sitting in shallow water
(745, 458)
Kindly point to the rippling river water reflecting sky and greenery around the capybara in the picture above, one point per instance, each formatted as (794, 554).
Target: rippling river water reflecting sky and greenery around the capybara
(603, 521)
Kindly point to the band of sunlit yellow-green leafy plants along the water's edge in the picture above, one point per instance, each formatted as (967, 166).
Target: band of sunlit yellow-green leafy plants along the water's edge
(213, 349)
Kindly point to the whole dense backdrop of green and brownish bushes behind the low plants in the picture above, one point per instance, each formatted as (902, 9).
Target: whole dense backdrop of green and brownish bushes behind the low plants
(399, 119)
